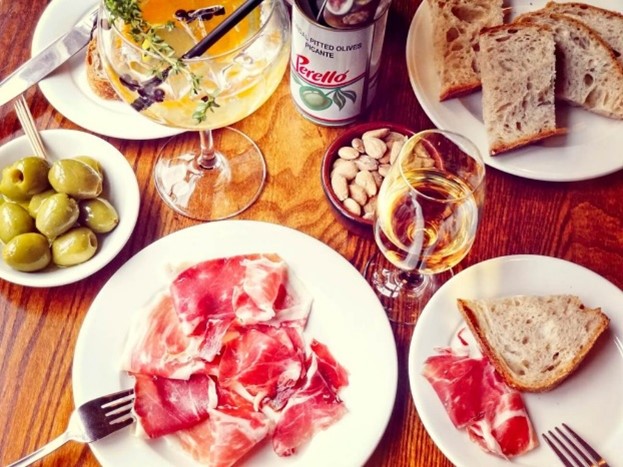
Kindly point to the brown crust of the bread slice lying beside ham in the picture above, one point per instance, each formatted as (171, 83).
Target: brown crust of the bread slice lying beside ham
(474, 320)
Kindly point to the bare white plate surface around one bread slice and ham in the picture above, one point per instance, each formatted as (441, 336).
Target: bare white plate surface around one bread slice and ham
(589, 400)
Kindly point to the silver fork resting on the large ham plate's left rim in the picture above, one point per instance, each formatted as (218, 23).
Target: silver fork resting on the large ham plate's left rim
(91, 421)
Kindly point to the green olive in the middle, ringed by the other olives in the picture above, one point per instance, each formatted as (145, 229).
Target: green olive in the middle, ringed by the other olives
(56, 215)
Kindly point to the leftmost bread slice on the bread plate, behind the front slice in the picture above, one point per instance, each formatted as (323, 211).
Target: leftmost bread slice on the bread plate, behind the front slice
(456, 24)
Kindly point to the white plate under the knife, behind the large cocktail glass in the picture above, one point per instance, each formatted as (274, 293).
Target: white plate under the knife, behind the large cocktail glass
(68, 91)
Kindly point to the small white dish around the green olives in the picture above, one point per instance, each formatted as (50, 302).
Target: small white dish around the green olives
(120, 188)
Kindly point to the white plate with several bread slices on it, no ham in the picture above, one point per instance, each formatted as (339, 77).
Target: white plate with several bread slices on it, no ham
(538, 86)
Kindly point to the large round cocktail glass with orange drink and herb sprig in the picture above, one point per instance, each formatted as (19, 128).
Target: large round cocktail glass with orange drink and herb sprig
(142, 46)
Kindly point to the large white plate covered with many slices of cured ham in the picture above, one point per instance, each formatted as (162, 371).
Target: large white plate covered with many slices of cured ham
(246, 343)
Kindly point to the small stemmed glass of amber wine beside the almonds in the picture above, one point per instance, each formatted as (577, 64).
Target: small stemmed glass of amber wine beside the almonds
(427, 214)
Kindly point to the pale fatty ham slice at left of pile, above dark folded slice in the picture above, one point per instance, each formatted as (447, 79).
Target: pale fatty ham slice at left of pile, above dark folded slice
(157, 346)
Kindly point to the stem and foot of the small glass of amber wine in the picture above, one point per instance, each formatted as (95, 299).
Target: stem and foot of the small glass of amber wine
(403, 294)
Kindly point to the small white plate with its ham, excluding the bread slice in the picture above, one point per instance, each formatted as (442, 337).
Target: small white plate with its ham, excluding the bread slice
(490, 415)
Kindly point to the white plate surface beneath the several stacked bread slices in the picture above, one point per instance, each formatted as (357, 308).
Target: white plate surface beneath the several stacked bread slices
(589, 150)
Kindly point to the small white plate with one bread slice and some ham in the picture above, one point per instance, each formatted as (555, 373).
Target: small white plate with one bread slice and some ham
(542, 332)
